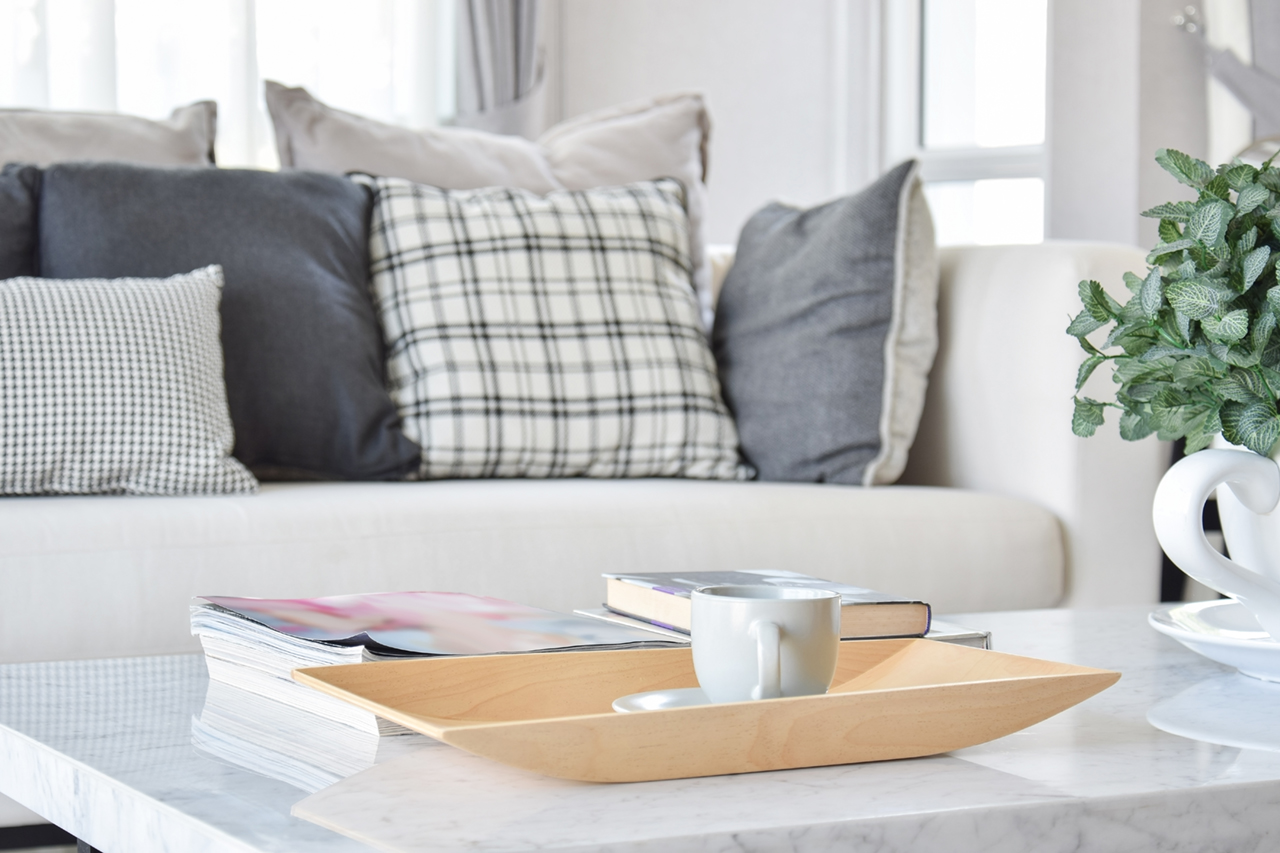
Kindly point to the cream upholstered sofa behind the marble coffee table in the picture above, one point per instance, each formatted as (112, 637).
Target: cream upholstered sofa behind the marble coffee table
(1004, 509)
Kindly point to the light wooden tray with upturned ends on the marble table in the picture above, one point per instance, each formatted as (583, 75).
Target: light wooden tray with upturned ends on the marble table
(552, 713)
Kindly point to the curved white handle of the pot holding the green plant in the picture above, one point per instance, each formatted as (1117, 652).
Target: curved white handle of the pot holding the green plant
(1178, 516)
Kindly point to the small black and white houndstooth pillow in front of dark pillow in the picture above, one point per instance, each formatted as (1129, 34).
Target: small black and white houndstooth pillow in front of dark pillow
(115, 387)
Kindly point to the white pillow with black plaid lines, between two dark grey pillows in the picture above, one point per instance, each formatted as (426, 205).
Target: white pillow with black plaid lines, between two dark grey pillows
(547, 336)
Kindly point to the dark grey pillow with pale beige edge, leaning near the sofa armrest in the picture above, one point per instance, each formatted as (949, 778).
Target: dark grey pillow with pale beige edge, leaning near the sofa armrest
(826, 331)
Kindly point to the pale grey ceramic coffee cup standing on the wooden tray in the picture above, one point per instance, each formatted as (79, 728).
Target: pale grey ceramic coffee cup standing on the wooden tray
(765, 642)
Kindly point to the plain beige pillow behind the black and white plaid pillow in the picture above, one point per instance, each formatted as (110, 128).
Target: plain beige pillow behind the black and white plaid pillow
(661, 138)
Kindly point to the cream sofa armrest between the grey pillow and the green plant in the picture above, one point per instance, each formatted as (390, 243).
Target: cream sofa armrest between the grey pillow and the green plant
(999, 410)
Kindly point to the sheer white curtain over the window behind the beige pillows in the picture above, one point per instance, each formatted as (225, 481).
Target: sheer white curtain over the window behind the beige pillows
(388, 60)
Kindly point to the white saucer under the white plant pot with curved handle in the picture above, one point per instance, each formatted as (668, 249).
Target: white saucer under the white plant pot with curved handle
(1222, 631)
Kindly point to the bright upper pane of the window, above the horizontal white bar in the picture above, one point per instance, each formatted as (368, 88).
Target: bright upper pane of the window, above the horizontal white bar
(984, 74)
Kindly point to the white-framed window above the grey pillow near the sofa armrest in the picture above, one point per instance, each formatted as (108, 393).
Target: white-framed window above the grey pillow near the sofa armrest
(966, 94)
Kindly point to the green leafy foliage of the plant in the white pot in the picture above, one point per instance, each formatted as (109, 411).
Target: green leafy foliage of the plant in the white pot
(1194, 350)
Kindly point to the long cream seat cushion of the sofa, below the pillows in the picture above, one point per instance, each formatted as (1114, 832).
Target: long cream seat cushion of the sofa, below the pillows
(108, 577)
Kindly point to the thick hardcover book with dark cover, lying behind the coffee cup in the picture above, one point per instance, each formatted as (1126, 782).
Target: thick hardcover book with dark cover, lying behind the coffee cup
(664, 599)
